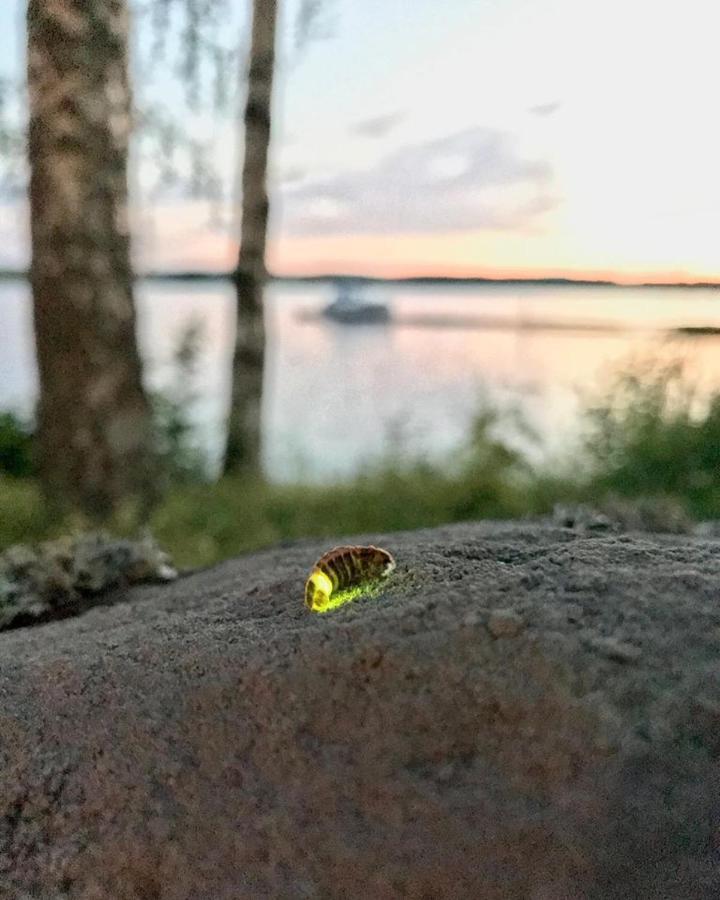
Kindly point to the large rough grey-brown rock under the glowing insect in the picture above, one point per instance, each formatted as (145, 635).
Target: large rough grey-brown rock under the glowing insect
(213, 739)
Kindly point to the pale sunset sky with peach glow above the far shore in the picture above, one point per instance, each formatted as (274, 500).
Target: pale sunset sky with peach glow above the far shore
(520, 138)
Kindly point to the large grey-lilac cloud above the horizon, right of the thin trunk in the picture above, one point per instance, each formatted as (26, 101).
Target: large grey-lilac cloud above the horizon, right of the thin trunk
(467, 181)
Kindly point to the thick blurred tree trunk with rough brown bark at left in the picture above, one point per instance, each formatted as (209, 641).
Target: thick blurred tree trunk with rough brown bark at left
(94, 426)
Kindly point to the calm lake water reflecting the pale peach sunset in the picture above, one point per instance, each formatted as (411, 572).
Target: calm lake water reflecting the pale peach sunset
(336, 397)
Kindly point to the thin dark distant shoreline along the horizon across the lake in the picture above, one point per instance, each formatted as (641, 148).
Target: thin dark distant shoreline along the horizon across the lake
(14, 275)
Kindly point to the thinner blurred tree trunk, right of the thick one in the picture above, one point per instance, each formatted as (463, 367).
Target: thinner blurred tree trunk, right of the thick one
(243, 442)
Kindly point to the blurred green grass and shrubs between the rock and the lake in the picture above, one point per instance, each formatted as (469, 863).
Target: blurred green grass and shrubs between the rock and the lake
(649, 437)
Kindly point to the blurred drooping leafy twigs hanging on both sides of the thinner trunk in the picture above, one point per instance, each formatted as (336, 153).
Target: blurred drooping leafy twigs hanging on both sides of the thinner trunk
(201, 44)
